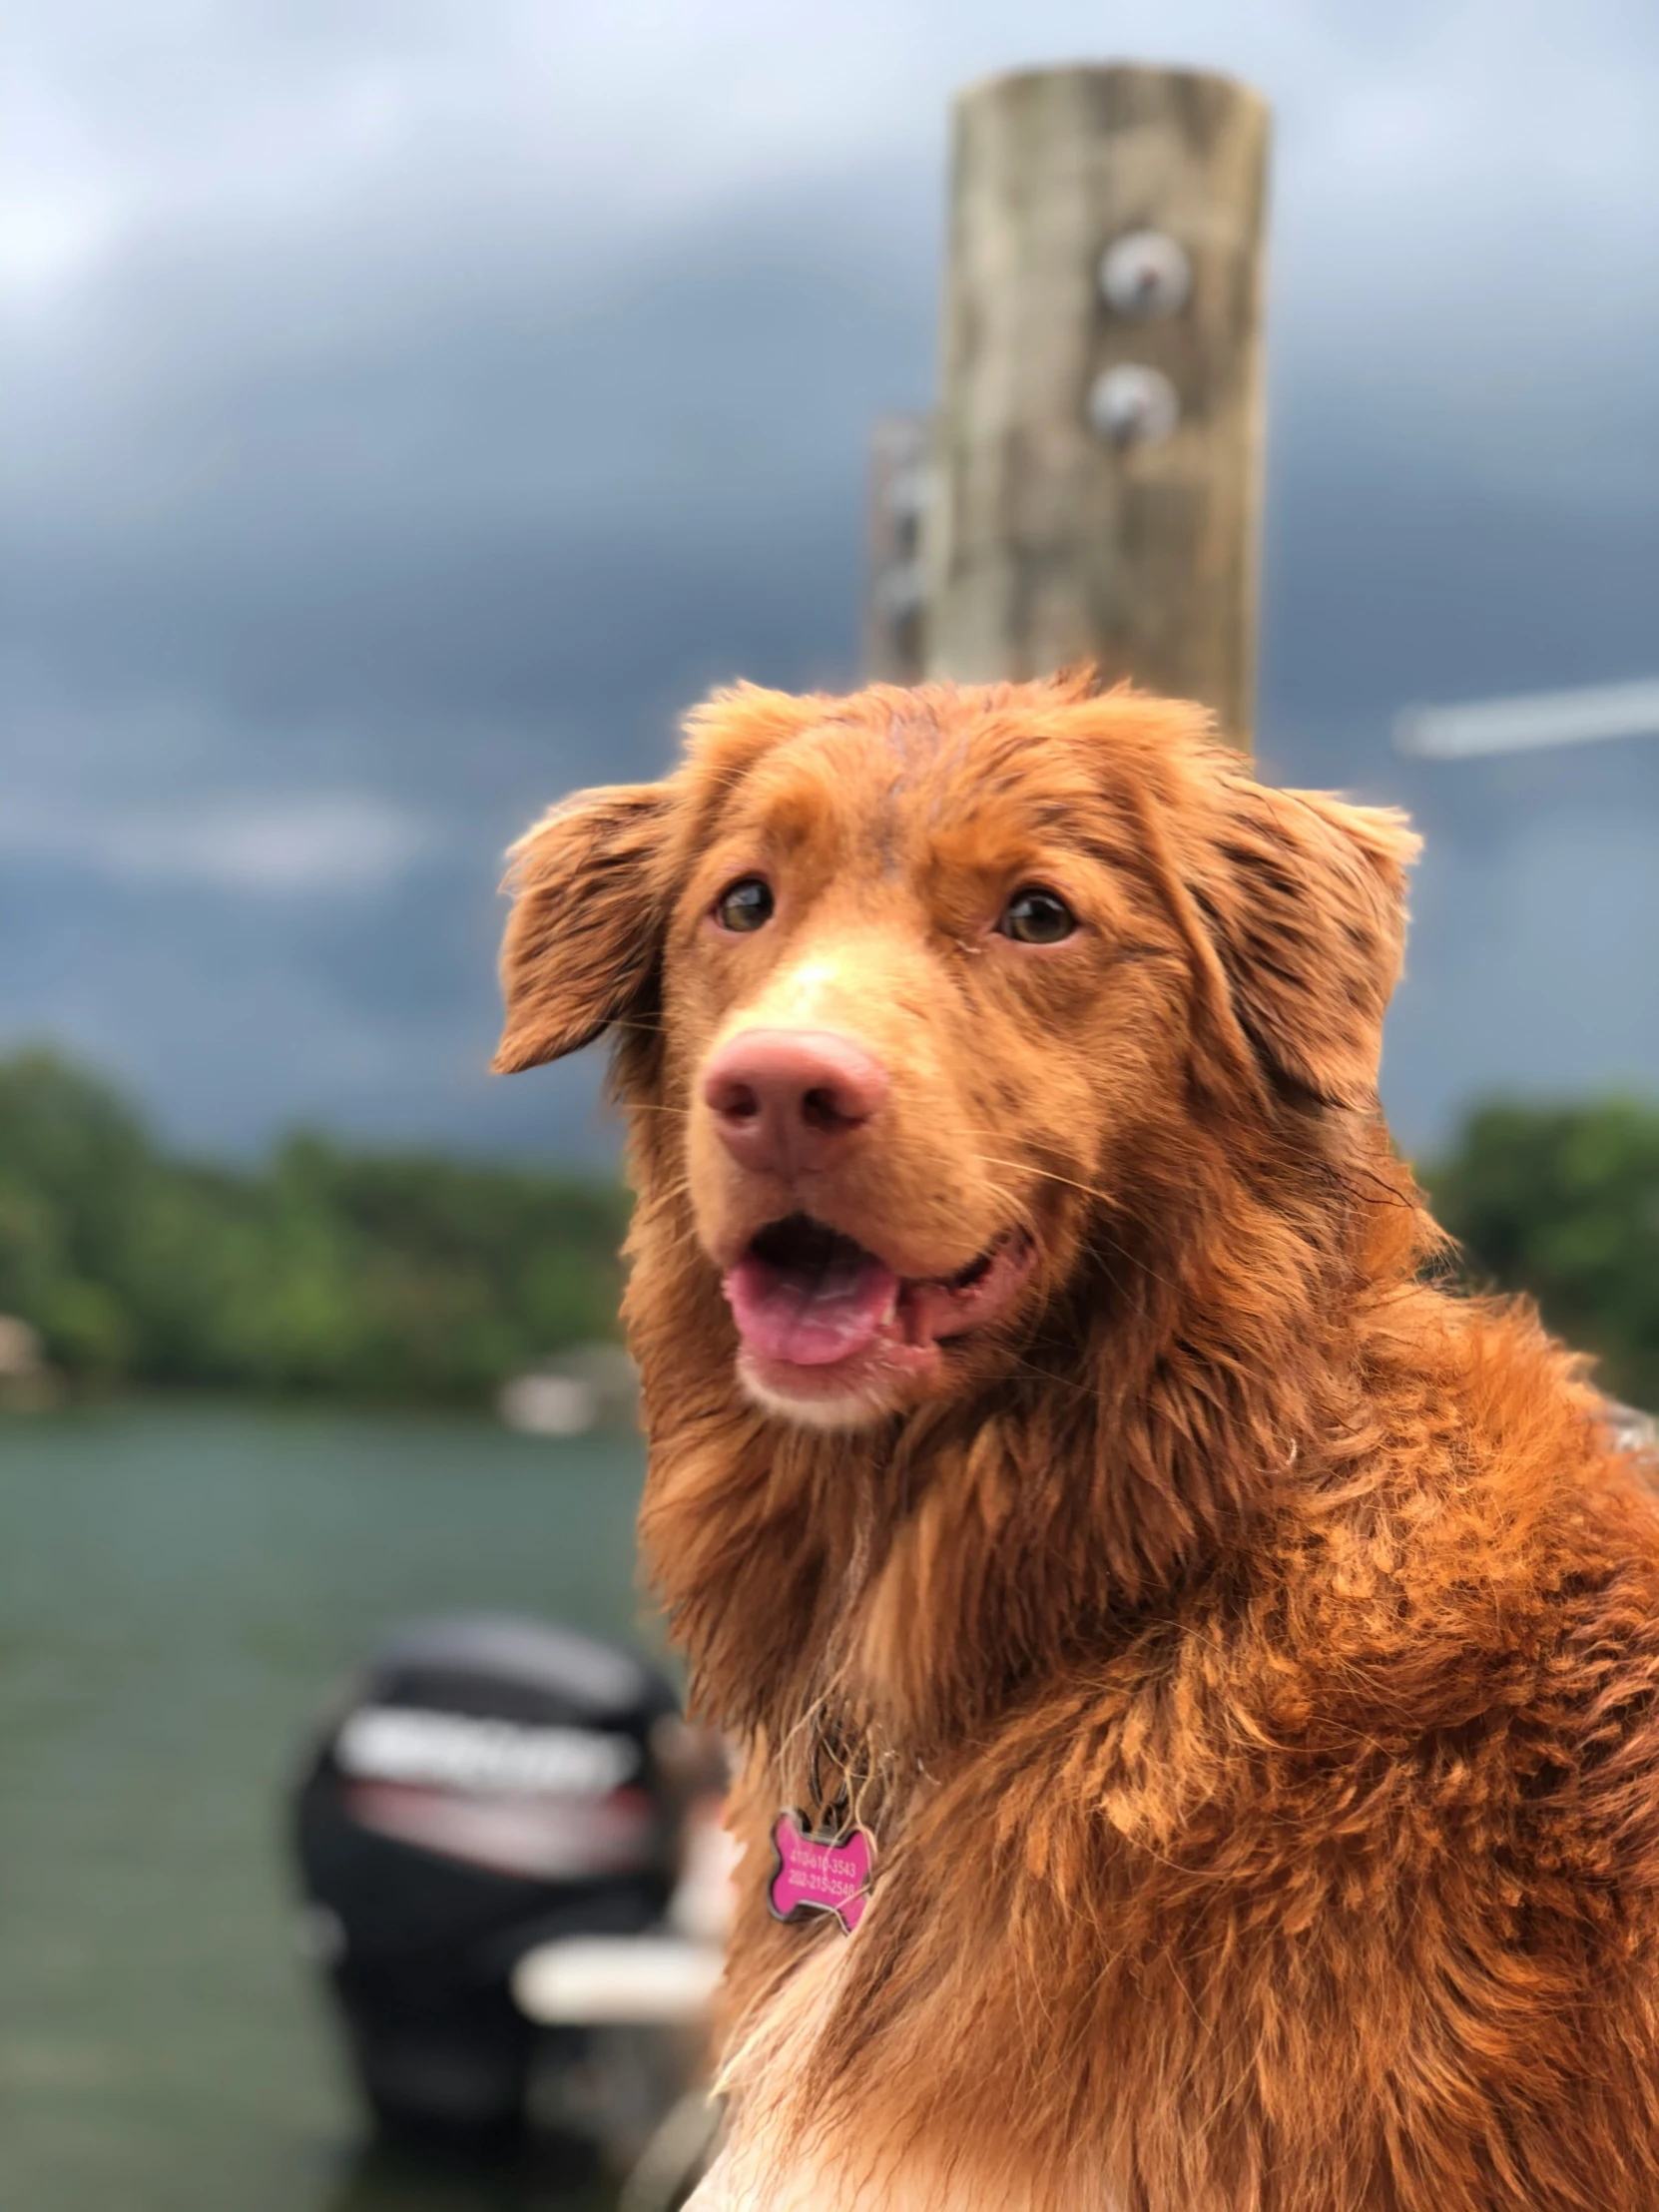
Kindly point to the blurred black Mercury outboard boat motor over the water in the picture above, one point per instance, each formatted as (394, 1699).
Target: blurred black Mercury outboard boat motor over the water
(499, 1795)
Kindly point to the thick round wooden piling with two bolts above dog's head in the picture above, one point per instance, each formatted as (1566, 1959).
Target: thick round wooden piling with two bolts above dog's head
(1098, 448)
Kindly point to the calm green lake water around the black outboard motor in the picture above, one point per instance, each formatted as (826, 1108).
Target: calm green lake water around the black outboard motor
(180, 1587)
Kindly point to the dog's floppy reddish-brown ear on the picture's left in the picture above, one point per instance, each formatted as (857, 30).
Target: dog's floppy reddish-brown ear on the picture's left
(585, 935)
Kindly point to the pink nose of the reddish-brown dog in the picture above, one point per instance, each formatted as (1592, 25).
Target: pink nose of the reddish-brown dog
(791, 1098)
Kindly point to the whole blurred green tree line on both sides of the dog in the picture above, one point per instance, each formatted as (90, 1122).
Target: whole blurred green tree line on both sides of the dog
(382, 1275)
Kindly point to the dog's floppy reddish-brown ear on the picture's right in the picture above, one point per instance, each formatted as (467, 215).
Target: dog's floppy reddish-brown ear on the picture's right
(1308, 915)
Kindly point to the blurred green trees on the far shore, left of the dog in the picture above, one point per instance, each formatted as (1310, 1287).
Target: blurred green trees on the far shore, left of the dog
(324, 1271)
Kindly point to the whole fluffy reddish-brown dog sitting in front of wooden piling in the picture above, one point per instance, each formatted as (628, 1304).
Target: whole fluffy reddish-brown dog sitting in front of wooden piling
(1240, 1651)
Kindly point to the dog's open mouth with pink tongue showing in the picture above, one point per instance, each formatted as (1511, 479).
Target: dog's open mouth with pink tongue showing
(808, 1297)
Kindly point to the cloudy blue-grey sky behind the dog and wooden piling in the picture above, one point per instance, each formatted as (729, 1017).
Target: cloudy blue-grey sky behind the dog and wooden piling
(415, 404)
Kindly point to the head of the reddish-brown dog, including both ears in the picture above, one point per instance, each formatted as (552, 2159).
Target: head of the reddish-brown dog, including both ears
(915, 988)
